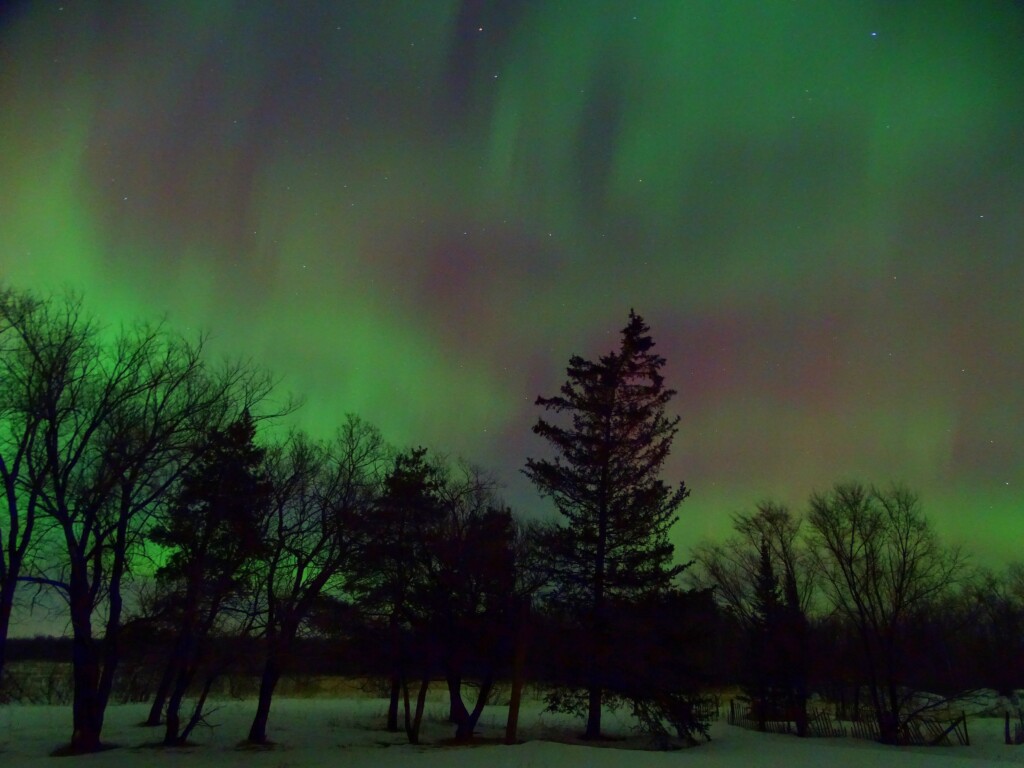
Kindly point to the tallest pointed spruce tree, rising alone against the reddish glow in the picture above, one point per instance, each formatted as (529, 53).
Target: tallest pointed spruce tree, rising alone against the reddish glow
(614, 544)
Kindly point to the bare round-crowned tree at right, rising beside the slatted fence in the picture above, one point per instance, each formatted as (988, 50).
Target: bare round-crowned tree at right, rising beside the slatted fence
(882, 564)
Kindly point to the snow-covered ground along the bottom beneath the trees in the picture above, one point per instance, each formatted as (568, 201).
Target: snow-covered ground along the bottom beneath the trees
(316, 733)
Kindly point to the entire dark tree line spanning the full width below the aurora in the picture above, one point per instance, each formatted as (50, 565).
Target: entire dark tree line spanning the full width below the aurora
(131, 462)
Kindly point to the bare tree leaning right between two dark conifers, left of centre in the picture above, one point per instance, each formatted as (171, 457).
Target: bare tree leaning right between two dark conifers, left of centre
(321, 492)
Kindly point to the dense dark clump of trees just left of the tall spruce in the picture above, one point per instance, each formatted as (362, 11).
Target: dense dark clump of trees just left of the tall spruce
(438, 577)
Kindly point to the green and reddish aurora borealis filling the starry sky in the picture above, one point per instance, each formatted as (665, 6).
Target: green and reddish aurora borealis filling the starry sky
(417, 211)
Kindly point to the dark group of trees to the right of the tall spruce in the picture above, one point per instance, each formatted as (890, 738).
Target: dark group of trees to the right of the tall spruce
(861, 602)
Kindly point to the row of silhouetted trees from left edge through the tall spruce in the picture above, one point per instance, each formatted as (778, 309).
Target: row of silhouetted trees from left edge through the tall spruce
(131, 460)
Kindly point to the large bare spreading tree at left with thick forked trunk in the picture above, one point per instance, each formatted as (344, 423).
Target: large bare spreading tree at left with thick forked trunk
(118, 415)
